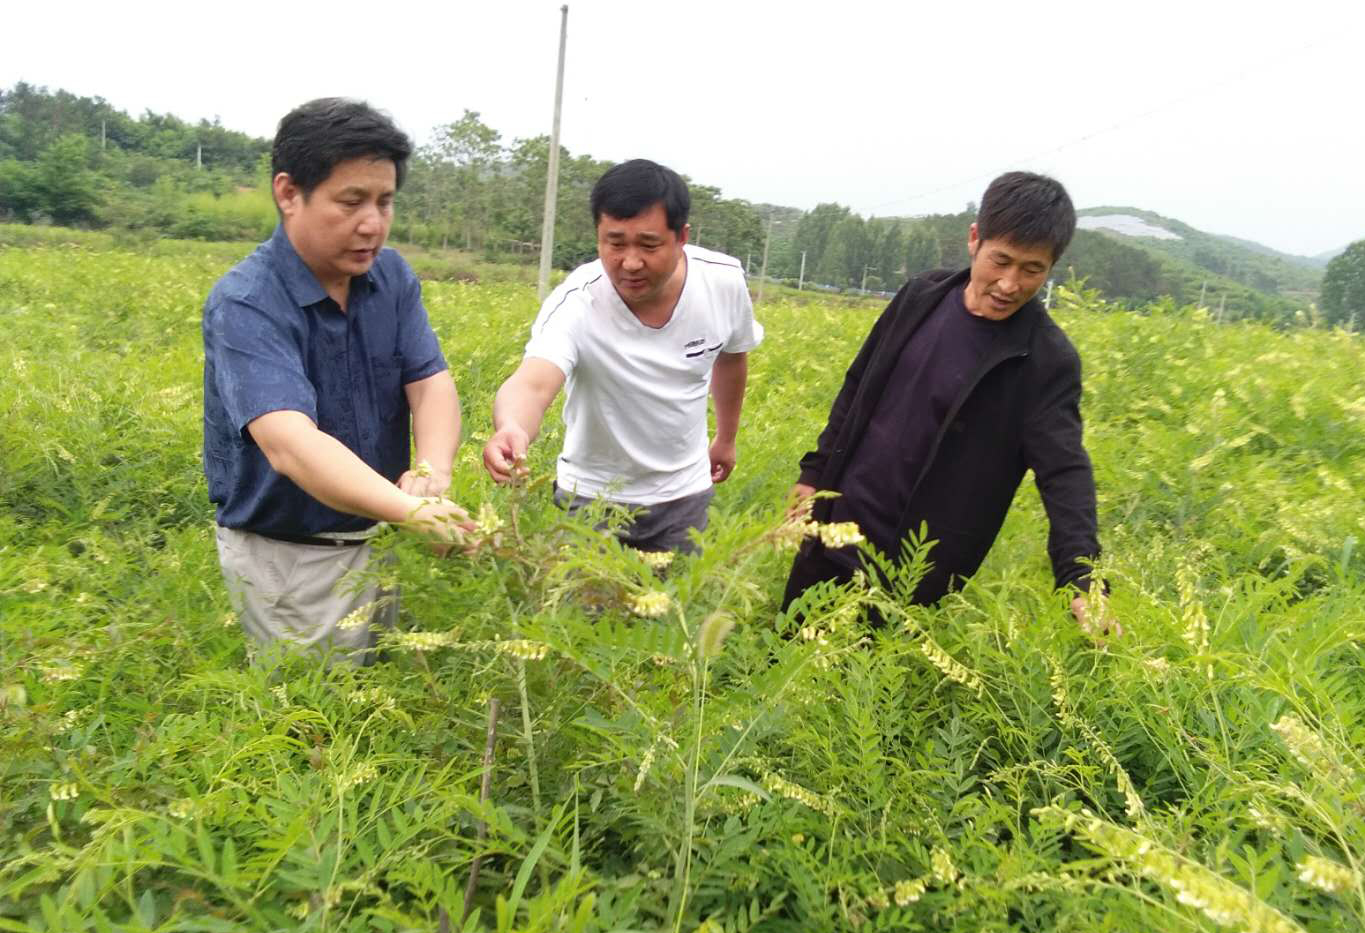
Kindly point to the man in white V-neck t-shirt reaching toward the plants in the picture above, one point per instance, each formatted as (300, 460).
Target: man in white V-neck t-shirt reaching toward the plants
(638, 339)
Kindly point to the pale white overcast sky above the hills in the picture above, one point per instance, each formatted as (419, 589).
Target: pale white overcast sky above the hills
(1236, 118)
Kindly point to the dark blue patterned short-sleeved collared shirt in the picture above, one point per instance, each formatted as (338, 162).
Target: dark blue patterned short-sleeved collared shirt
(274, 340)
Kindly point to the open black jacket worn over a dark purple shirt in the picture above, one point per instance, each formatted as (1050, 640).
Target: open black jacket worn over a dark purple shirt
(1019, 413)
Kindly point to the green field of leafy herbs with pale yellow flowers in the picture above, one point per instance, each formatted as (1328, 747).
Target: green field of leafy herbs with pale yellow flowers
(563, 737)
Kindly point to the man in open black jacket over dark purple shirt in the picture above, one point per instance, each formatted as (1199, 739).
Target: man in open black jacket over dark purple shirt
(963, 387)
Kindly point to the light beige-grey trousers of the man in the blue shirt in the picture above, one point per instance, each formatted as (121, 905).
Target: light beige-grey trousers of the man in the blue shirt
(305, 597)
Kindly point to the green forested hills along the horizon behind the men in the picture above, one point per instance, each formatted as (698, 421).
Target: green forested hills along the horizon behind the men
(80, 162)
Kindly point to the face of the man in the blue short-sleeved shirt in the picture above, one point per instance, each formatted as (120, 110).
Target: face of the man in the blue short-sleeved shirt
(341, 228)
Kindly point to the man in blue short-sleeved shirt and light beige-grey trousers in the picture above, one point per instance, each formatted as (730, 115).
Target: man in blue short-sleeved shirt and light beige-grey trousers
(317, 354)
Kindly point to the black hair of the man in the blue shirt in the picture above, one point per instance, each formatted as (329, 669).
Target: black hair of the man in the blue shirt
(317, 137)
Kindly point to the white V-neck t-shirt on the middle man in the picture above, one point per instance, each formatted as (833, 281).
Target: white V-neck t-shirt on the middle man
(635, 396)
